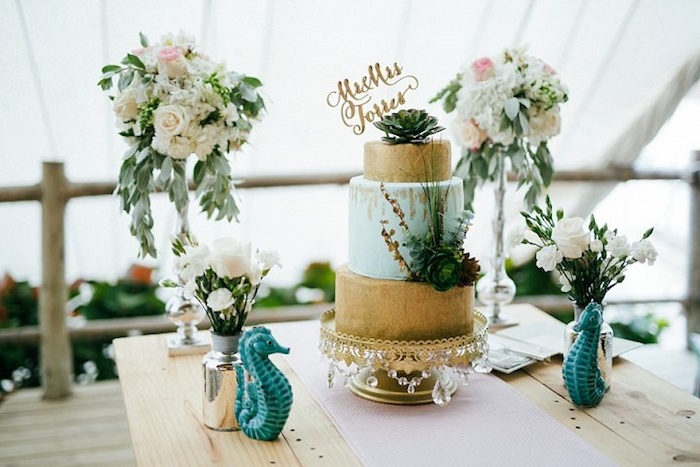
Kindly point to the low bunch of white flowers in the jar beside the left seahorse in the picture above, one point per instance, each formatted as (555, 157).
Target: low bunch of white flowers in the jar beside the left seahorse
(224, 278)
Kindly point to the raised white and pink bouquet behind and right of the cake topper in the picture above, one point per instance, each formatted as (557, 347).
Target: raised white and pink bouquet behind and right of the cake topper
(507, 104)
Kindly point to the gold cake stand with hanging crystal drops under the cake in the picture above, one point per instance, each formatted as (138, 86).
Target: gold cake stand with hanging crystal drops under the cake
(404, 372)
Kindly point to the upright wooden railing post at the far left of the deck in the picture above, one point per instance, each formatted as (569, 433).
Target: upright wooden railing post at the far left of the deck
(55, 351)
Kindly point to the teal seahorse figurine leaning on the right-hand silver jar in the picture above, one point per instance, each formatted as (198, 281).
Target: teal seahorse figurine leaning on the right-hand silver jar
(582, 376)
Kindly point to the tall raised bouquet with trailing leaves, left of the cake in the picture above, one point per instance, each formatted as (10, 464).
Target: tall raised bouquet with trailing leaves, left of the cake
(172, 101)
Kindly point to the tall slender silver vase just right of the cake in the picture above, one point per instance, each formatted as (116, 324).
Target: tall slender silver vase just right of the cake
(495, 289)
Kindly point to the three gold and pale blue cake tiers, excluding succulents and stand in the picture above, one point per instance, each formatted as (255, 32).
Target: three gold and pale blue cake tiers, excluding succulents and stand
(375, 294)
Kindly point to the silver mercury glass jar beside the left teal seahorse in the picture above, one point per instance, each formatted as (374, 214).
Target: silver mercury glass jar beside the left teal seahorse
(220, 384)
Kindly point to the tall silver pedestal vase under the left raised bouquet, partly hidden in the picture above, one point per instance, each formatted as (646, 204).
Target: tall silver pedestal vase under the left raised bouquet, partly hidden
(185, 312)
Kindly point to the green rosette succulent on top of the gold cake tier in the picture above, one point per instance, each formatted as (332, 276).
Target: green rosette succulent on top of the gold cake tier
(408, 126)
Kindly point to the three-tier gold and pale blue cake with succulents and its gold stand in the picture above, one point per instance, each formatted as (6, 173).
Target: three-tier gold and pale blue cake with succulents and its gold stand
(404, 309)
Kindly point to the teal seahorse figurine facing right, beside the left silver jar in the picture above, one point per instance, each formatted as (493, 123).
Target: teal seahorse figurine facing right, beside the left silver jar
(262, 403)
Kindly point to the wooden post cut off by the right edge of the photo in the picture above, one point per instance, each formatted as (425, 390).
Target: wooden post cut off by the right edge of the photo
(694, 250)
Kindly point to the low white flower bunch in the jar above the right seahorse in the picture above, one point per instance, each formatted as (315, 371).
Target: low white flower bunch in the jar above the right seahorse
(590, 262)
